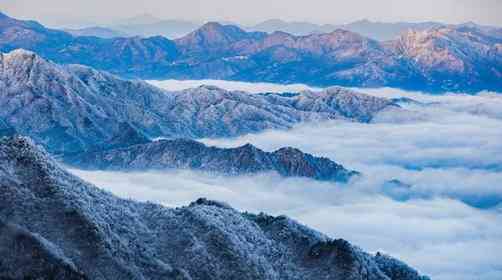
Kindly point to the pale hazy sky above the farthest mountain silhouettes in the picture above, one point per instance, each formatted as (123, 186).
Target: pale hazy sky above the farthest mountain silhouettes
(320, 11)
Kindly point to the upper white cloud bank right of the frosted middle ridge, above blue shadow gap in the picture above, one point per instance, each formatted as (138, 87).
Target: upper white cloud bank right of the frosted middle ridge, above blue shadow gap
(448, 151)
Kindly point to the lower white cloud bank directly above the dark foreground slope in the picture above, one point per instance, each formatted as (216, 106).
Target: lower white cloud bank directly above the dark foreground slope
(441, 237)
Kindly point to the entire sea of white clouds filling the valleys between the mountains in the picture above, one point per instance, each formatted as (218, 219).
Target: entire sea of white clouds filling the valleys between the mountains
(445, 219)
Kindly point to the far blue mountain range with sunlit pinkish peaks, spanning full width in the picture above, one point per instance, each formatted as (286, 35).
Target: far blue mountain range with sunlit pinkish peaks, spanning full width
(452, 58)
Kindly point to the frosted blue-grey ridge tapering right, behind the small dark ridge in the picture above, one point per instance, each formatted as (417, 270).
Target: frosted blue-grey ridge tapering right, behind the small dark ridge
(72, 108)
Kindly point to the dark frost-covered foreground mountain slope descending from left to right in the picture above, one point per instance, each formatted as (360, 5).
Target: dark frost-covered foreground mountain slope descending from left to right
(54, 225)
